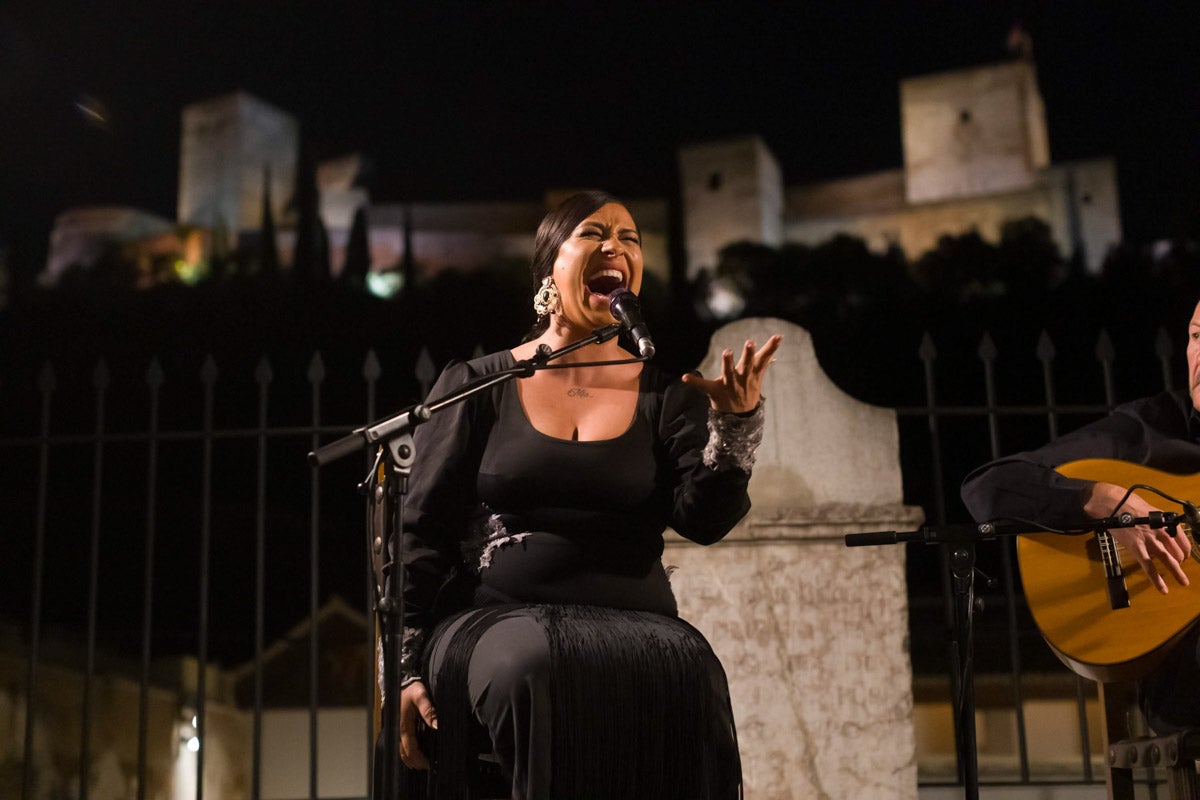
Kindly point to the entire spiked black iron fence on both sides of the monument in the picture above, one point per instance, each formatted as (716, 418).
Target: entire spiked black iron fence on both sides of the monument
(151, 466)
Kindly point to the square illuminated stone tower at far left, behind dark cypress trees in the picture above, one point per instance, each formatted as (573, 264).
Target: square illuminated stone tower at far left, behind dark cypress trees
(229, 146)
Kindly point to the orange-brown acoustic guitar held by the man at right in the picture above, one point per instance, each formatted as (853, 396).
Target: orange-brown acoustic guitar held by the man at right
(1076, 603)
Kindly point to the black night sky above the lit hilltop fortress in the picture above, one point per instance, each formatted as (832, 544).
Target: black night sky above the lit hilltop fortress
(503, 100)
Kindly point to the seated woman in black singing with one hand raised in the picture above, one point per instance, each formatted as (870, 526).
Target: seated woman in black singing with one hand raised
(536, 601)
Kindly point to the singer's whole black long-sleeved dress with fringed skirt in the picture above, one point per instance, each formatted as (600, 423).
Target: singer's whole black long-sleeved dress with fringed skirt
(536, 563)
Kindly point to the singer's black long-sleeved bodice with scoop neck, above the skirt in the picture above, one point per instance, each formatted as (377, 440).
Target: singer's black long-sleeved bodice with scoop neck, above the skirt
(560, 521)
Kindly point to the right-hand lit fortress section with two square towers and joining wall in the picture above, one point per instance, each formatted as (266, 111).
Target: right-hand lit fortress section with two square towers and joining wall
(976, 157)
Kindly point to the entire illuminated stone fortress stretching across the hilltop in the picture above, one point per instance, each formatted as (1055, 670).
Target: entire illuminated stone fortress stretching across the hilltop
(976, 155)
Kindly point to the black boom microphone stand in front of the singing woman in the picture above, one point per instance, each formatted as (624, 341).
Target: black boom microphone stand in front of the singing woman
(387, 488)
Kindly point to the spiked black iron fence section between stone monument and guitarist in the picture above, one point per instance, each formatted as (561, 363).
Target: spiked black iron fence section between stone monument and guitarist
(997, 428)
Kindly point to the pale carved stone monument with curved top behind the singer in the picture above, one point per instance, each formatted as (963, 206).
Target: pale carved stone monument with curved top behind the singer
(814, 636)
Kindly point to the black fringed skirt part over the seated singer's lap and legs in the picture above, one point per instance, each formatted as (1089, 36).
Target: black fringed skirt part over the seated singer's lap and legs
(639, 705)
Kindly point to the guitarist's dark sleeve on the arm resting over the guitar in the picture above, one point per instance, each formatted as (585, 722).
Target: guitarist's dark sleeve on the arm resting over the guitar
(1154, 432)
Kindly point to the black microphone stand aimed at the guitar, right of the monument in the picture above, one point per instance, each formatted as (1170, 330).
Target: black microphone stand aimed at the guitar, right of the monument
(962, 540)
